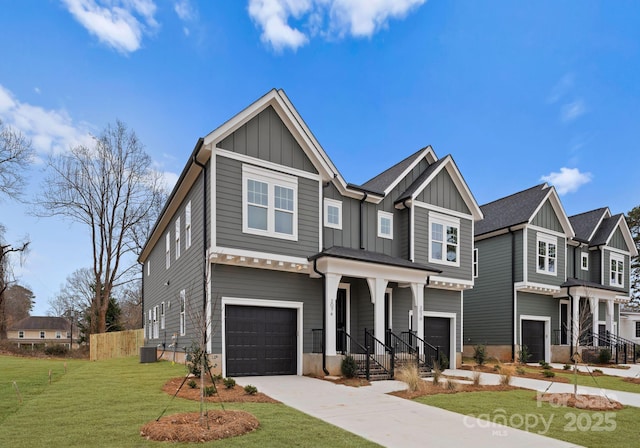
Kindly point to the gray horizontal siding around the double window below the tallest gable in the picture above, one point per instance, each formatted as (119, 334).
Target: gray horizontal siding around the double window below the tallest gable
(229, 190)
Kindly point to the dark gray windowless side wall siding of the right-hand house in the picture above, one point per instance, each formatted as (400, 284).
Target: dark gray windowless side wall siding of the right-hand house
(487, 307)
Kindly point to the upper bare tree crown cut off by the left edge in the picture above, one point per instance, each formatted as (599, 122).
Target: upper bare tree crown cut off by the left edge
(15, 156)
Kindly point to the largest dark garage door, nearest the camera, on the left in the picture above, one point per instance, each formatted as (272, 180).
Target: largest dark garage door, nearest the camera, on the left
(260, 341)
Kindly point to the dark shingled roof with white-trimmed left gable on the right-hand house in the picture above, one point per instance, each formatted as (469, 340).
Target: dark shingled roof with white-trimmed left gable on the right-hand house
(520, 208)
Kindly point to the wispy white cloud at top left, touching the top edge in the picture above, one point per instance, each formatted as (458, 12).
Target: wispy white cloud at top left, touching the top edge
(117, 23)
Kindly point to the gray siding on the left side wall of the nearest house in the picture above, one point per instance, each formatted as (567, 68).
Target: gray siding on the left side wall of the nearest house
(185, 273)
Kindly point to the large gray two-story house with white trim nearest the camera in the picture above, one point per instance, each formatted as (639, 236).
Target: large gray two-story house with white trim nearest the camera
(292, 264)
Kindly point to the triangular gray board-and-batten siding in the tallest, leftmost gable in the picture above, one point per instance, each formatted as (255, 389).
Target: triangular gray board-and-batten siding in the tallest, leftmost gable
(266, 137)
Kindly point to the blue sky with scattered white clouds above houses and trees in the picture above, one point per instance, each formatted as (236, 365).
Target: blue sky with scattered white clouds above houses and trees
(518, 92)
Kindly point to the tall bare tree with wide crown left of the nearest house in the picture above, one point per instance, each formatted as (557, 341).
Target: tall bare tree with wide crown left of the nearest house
(113, 190)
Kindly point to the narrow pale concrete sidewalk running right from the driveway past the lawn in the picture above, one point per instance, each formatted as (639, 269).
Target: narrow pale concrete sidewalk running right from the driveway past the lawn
(626, 398)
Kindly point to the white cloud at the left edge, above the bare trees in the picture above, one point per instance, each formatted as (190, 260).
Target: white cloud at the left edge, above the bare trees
(49, 130)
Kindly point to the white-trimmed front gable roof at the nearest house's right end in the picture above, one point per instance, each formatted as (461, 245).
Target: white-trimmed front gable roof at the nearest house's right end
(446, 163)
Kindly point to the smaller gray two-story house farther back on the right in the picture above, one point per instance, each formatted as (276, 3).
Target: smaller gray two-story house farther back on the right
(545, 280)
